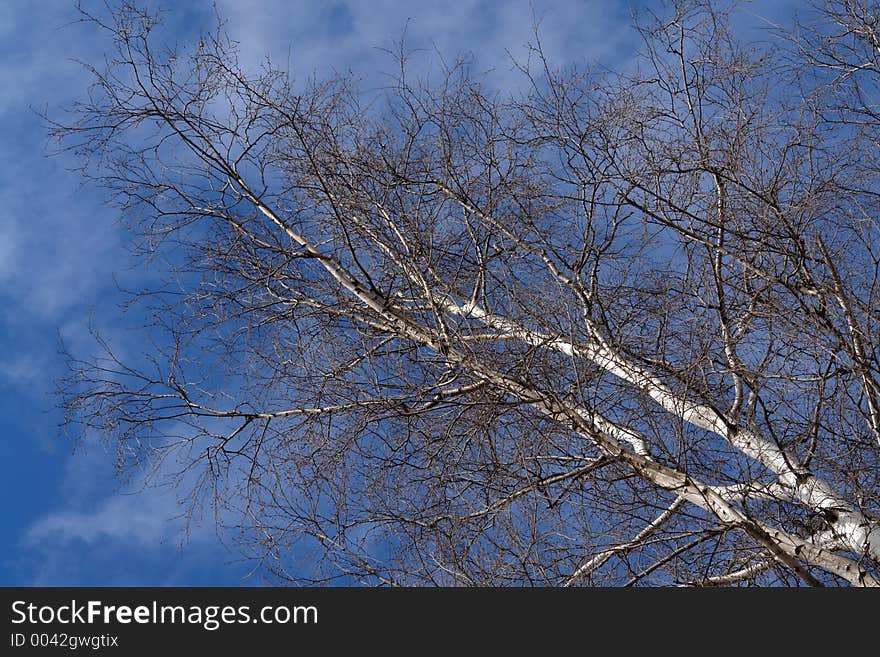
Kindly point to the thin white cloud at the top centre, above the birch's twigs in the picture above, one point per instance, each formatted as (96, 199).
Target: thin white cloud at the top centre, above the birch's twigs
(571, 31)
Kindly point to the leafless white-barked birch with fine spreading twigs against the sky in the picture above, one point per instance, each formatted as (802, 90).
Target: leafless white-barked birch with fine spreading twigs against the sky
(618, 328)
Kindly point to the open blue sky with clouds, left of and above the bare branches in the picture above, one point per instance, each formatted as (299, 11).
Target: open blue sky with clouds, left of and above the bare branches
(68, 519)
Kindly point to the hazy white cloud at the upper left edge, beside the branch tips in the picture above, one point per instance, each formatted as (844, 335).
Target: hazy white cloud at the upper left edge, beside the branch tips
(57, 243)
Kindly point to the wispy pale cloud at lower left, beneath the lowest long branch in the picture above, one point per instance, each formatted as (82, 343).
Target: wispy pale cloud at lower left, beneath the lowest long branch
(129, 535)
